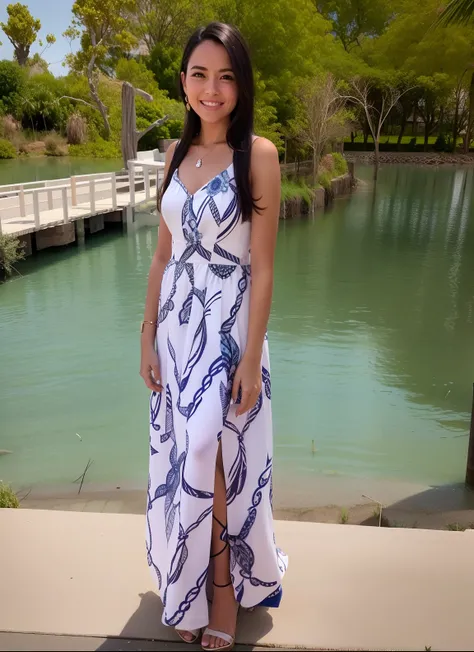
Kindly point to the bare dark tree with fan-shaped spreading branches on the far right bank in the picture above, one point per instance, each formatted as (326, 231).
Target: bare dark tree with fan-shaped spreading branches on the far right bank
(377, 101)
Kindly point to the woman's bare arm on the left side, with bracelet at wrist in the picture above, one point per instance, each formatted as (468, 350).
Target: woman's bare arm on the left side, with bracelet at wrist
(150, 364)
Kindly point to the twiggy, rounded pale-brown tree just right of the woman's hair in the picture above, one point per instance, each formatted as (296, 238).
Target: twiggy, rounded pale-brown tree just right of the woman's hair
(321, 117)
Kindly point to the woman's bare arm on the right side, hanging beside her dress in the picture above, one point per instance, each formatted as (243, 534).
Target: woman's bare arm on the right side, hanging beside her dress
(266, 182)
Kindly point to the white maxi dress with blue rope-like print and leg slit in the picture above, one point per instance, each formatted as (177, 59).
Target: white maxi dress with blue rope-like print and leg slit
(202, 332)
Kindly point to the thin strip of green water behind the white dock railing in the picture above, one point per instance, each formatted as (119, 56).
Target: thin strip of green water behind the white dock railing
(22, 170)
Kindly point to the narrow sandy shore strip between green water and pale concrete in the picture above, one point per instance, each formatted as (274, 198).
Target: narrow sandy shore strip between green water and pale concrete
(352, 501)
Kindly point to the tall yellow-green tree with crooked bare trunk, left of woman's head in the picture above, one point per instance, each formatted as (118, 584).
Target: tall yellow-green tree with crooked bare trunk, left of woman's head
(102, 25)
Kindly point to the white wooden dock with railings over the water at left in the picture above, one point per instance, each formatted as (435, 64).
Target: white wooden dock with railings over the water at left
(55, 212)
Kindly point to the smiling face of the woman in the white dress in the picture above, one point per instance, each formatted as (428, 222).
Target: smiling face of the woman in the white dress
(210, 83)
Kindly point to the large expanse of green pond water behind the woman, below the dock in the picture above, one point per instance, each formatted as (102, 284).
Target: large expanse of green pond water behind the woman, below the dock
(371, 337)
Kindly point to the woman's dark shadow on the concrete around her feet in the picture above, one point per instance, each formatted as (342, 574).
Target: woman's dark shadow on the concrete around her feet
(142, 631)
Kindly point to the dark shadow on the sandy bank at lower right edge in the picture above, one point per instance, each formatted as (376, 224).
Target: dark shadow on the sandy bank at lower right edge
(436, 500)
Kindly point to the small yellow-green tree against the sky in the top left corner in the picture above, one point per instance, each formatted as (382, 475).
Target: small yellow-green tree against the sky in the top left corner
(22, 30)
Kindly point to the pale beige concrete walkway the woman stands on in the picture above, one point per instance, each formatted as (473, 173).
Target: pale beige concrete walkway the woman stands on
(348, 587)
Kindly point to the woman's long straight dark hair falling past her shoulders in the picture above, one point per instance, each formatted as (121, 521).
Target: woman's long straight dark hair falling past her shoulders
(239, 133)
